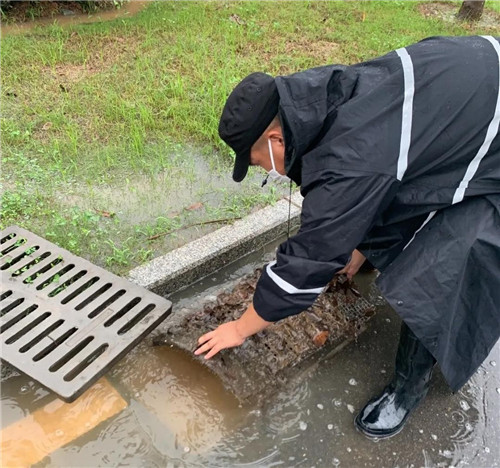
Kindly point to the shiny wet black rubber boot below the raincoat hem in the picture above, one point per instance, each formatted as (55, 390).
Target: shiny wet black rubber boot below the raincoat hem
(385, 415)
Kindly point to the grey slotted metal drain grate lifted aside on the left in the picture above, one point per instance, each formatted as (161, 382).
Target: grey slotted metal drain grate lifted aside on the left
(63, 320)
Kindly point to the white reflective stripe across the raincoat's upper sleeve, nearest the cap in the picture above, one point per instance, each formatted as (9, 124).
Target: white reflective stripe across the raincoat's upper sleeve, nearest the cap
(407, 115)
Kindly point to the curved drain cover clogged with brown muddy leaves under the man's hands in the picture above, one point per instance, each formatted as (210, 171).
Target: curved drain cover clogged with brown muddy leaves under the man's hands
(268, 360)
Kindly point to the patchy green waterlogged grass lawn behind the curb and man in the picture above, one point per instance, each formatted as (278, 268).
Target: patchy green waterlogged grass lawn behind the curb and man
(109, 130)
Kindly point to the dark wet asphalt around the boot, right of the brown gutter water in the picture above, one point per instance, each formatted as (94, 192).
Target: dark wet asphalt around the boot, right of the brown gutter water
(311, 423)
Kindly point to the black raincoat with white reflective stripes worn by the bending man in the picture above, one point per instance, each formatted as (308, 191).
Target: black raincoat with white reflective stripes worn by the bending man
(400, 158)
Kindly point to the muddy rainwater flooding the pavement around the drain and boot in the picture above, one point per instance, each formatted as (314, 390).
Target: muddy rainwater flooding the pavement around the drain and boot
(179, 415)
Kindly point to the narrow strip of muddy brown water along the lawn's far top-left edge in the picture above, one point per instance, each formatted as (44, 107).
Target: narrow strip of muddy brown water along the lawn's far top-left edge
(129, 9)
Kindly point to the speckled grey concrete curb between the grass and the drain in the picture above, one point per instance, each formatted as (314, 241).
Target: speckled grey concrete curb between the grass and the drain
(201, 257)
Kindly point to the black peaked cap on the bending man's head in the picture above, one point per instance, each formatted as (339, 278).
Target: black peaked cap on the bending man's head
(249, 110)
